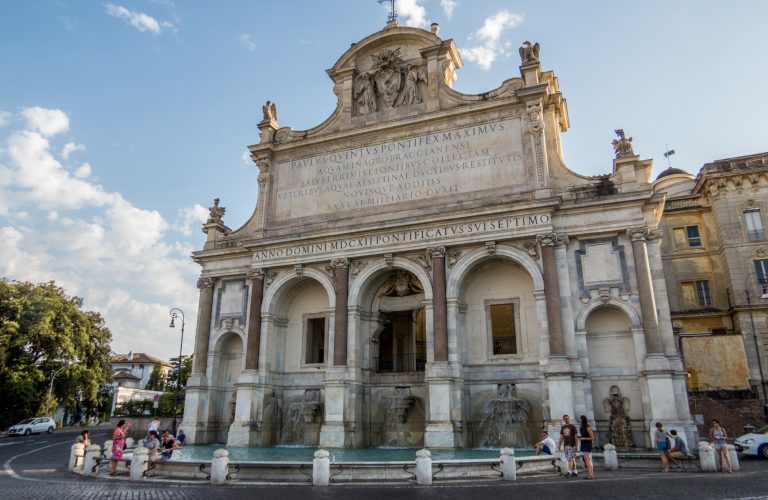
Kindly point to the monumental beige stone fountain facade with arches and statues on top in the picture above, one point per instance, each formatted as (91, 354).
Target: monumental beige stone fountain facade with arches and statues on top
(423, 270)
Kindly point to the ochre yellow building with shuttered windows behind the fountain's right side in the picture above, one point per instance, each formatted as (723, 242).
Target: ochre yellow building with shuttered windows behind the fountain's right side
(715, 251)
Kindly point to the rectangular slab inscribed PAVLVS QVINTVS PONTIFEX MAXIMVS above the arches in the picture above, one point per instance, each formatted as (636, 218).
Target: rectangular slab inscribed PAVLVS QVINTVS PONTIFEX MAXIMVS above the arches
(443, 164)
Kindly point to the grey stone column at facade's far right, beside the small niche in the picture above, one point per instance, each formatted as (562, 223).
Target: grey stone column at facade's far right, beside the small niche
(638, 235)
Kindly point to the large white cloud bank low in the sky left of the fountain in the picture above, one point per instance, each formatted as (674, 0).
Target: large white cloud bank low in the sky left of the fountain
(96, 244)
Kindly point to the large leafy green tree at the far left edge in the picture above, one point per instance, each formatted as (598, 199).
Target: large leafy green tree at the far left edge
(43, 332)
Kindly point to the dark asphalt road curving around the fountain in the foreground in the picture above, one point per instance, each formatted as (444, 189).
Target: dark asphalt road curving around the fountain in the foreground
(34, 467)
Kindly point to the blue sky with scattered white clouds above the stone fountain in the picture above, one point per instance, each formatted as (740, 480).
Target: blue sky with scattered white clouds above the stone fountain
(121, 121)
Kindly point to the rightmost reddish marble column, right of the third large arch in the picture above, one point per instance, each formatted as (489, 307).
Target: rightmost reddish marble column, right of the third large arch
(552, 292)
